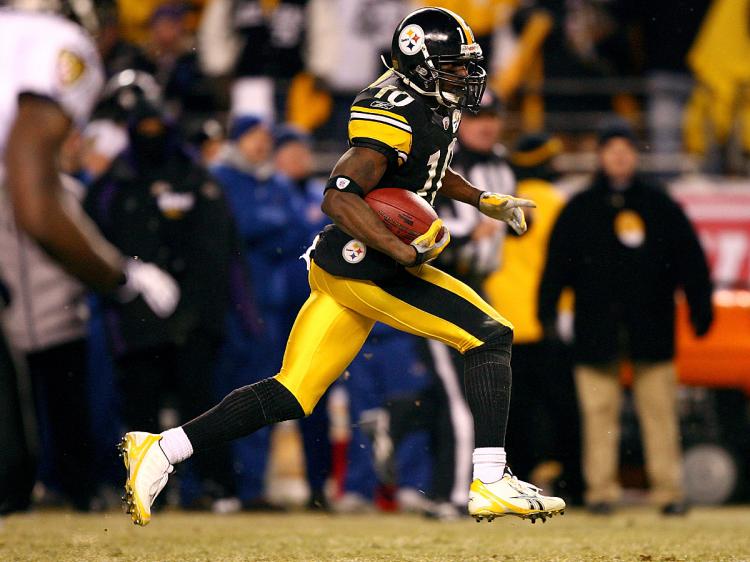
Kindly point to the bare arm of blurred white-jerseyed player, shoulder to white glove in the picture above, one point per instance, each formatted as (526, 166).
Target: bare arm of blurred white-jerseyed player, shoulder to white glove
(34, 184)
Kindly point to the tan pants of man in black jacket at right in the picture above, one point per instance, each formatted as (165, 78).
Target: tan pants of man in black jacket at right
(600, 397)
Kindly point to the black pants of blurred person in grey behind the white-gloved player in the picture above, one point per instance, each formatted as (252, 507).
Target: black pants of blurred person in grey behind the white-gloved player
(59, 377)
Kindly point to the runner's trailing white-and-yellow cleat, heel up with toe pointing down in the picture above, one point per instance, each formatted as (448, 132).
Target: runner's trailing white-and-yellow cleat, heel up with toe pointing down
(148, 472)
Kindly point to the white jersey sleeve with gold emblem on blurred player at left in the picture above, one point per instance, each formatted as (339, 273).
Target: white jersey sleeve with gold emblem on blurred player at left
(49, 56)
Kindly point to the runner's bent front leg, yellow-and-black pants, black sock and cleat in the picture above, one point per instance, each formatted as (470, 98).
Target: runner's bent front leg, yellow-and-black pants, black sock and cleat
(429, 303)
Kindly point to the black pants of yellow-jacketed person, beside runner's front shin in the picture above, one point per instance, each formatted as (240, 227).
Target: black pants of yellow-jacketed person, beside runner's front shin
(544, 422)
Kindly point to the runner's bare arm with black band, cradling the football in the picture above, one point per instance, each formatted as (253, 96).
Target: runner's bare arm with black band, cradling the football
(364, 167)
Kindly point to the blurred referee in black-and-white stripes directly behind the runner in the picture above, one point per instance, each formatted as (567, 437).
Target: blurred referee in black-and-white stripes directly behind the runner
(471, 256)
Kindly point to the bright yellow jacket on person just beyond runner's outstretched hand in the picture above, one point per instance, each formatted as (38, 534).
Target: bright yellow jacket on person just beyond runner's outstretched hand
(513, 289)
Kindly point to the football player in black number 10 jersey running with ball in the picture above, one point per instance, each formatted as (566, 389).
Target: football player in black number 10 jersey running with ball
(401, 133)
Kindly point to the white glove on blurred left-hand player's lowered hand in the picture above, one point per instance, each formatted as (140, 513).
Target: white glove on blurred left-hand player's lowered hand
(158, 289)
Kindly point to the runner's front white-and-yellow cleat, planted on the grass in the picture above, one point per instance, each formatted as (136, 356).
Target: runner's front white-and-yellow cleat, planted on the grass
(511, 496)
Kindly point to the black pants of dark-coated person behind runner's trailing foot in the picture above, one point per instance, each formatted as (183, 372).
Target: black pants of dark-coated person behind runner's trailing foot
(184, 372)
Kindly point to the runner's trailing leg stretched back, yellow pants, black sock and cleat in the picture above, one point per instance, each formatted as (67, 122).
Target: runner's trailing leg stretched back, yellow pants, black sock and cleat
(325, 338)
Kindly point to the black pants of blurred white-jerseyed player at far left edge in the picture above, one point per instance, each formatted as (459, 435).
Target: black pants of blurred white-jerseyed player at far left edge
(17, 461)
